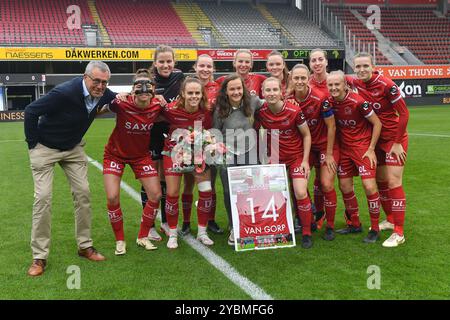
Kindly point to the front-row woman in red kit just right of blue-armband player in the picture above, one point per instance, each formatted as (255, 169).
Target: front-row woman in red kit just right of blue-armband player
(358, 132)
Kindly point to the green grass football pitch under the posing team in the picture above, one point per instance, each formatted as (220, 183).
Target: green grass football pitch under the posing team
(345, 268)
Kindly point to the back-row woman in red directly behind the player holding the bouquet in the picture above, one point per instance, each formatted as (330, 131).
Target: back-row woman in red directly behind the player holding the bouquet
(204, 71)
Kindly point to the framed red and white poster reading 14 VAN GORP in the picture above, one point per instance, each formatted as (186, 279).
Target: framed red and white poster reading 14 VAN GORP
(261, 207)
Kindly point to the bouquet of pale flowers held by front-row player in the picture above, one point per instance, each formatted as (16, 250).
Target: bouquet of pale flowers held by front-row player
(194, 149)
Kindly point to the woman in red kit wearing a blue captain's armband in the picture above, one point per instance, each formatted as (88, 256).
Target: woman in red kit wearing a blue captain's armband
(324, 149)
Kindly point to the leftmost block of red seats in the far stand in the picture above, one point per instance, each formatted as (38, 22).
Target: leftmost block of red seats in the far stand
(40, 22)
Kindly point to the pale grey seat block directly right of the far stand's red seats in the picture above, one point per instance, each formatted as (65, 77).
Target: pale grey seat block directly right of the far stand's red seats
(241, 25)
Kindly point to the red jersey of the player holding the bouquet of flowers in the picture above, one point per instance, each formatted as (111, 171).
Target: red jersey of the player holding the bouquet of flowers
(179, 118)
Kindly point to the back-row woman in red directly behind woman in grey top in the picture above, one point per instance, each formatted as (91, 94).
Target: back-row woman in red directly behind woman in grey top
(243, 64)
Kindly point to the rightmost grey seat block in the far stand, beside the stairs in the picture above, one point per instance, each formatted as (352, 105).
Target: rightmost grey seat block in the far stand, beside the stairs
(305, 31)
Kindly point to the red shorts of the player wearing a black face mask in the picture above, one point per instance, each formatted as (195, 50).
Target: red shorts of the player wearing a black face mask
(142, 168)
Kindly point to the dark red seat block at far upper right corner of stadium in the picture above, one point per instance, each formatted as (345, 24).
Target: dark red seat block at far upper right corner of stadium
(418, 29)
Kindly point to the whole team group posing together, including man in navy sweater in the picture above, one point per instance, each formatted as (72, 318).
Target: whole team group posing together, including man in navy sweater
(329, 127)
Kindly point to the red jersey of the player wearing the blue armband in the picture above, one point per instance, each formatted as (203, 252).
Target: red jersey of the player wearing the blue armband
(315, 107)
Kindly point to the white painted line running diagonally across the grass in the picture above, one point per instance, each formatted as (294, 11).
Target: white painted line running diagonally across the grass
(215, 260)
